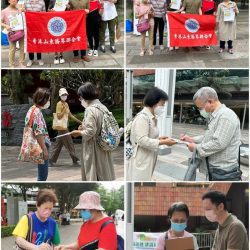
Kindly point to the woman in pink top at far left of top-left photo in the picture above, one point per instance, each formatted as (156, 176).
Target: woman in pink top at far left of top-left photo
(12, 10)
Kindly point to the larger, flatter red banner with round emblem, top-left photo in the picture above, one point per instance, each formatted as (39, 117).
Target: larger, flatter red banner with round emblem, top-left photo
(55, 31)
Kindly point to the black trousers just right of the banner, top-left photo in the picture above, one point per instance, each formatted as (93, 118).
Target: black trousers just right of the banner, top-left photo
(93, 26)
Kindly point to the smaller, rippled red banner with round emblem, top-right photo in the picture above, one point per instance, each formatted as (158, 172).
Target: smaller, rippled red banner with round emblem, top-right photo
(191, 30)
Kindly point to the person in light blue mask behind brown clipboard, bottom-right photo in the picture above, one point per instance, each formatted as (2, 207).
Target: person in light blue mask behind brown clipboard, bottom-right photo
(178, 215)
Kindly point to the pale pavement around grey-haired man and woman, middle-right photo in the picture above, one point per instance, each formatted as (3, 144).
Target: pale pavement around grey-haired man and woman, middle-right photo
(172, 167)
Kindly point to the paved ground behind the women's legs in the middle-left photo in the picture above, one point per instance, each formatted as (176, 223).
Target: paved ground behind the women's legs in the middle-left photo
(14, 170)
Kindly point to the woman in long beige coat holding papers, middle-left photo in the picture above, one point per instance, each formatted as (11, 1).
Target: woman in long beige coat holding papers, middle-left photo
(97, 164)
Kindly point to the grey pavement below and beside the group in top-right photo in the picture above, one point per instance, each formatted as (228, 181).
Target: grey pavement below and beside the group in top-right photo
(190, 58)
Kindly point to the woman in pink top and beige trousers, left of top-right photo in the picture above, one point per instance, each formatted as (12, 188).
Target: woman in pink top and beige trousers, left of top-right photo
(145, 11)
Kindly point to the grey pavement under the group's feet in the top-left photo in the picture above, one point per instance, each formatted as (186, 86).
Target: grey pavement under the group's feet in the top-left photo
(104, 60)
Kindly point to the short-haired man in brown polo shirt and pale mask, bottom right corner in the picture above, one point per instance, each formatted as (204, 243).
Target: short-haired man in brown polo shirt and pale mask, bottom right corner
(231, 232)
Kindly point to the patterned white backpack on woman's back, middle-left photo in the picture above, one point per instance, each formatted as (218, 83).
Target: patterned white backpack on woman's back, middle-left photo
(109, 138)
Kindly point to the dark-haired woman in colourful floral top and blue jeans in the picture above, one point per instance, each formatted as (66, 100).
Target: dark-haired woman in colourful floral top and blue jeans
(41, 99)
